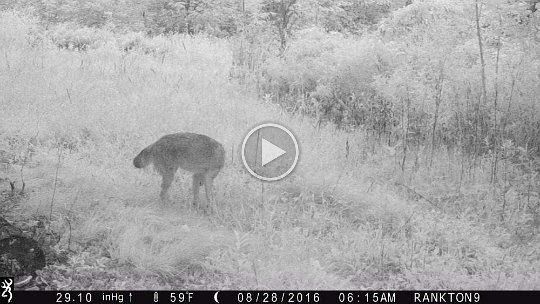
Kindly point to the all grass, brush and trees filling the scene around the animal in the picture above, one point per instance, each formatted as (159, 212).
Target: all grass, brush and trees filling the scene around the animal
(418, 121)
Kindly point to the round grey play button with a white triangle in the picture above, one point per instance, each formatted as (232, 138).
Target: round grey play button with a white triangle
(270, 152)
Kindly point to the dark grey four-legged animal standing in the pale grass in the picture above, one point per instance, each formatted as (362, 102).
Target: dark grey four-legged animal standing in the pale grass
(196, 153)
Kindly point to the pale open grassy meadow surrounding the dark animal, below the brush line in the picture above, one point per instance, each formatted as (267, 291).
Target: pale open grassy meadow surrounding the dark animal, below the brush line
(71, 123)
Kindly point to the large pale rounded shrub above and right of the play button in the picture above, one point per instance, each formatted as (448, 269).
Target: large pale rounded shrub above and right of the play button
(329, 76)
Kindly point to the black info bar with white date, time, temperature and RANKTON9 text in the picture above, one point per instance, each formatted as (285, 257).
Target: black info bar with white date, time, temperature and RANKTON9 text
(267, 296)
